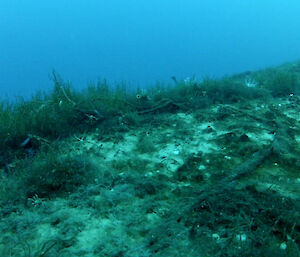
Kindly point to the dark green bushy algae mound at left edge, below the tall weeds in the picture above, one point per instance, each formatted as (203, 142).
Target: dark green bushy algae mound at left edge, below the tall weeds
(49, 174)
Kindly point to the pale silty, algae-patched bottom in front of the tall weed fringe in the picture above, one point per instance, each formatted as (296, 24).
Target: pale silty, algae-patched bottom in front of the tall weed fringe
(223, 180)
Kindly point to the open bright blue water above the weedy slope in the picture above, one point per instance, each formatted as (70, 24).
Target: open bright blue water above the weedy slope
(140, 41)
